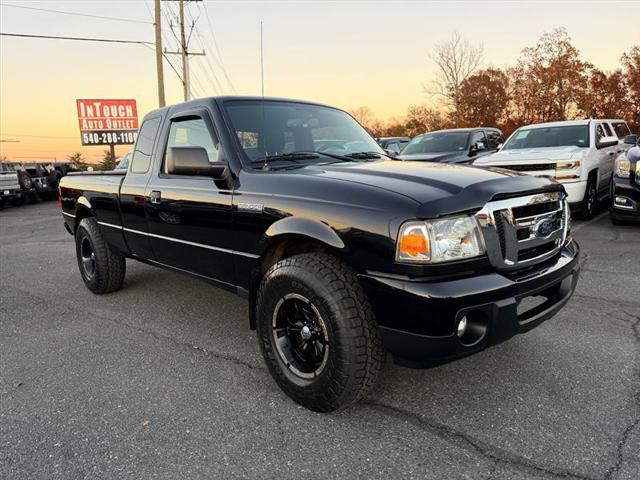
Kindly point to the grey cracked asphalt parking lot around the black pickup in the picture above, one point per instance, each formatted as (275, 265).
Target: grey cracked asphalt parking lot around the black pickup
(165, 380)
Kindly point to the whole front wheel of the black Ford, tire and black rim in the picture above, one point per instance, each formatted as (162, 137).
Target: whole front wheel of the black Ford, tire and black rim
(317, 332)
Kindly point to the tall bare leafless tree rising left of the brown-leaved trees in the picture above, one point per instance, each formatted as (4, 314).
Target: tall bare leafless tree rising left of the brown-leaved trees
(456, 60)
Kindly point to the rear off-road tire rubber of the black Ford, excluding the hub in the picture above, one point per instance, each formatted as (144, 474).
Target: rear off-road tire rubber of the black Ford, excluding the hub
(110, 266)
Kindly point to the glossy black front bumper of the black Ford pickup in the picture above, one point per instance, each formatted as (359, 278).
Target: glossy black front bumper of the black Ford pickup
(419, 320)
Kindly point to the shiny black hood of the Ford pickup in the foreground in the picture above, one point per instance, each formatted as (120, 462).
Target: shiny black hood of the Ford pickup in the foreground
(439, 188)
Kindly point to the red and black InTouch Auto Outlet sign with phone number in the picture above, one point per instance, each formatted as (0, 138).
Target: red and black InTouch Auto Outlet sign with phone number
(107, 122)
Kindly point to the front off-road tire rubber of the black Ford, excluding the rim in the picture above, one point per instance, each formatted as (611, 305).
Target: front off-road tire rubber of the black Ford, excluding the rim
(355, 354)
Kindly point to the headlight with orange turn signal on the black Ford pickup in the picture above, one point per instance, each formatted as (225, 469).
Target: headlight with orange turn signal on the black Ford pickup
(437, 241)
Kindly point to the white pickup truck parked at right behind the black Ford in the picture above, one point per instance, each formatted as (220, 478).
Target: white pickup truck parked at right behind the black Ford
(579, 154)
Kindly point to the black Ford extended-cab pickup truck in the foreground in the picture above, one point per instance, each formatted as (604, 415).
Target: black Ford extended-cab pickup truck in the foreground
(342, 253)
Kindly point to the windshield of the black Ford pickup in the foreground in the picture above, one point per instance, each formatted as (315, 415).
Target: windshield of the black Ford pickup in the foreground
(270, 128)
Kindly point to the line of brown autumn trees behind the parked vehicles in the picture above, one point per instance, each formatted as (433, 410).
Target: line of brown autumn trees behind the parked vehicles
(548, 82)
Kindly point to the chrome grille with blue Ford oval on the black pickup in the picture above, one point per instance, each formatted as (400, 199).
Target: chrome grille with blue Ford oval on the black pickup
(522, 231)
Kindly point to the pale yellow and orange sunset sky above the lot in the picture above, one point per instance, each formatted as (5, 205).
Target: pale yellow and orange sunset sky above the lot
(345, 53)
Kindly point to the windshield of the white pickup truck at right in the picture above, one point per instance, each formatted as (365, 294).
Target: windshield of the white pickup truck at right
(574, 135)
